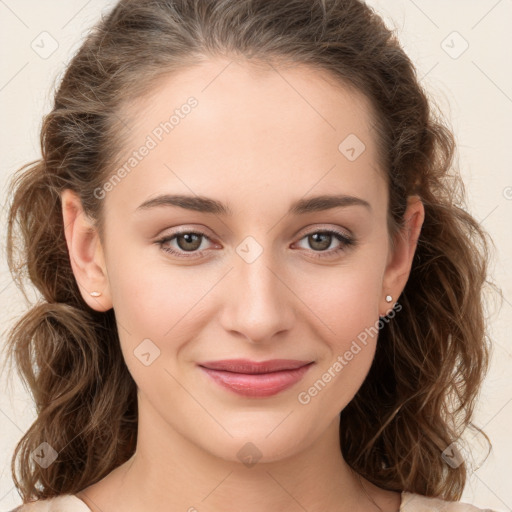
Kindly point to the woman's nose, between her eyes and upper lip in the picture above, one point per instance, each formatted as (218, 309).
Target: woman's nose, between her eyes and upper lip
(258, 303)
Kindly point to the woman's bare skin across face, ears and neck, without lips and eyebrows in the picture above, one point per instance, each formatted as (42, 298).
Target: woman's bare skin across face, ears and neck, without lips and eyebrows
(259, 139)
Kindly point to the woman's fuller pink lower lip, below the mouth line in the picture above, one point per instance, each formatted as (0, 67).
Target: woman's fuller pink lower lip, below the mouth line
(257, 385)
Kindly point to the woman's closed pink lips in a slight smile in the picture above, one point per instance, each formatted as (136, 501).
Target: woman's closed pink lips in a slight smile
(256, 379)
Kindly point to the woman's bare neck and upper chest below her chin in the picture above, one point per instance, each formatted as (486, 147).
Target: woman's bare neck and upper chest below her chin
(168, 472)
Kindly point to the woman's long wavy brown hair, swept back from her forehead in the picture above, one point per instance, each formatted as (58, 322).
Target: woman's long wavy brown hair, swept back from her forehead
(430, 361)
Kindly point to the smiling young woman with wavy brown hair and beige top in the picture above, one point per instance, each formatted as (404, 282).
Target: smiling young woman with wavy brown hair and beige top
(259, 288)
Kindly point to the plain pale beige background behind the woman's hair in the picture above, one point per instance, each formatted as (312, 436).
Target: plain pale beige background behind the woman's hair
(473, 88)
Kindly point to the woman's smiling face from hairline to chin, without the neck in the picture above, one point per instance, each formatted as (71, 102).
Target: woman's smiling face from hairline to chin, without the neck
(257, 270)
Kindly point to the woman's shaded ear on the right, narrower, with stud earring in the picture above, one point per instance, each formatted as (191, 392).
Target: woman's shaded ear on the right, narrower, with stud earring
(401, 255)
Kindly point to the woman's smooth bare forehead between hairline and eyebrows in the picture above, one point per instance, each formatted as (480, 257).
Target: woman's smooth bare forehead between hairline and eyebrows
(252, 128)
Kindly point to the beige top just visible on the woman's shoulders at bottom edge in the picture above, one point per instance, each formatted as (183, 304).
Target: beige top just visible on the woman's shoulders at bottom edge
(410, 503)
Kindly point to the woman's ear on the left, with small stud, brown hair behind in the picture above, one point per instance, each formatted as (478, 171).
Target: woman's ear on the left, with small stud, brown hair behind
(85, 252)
